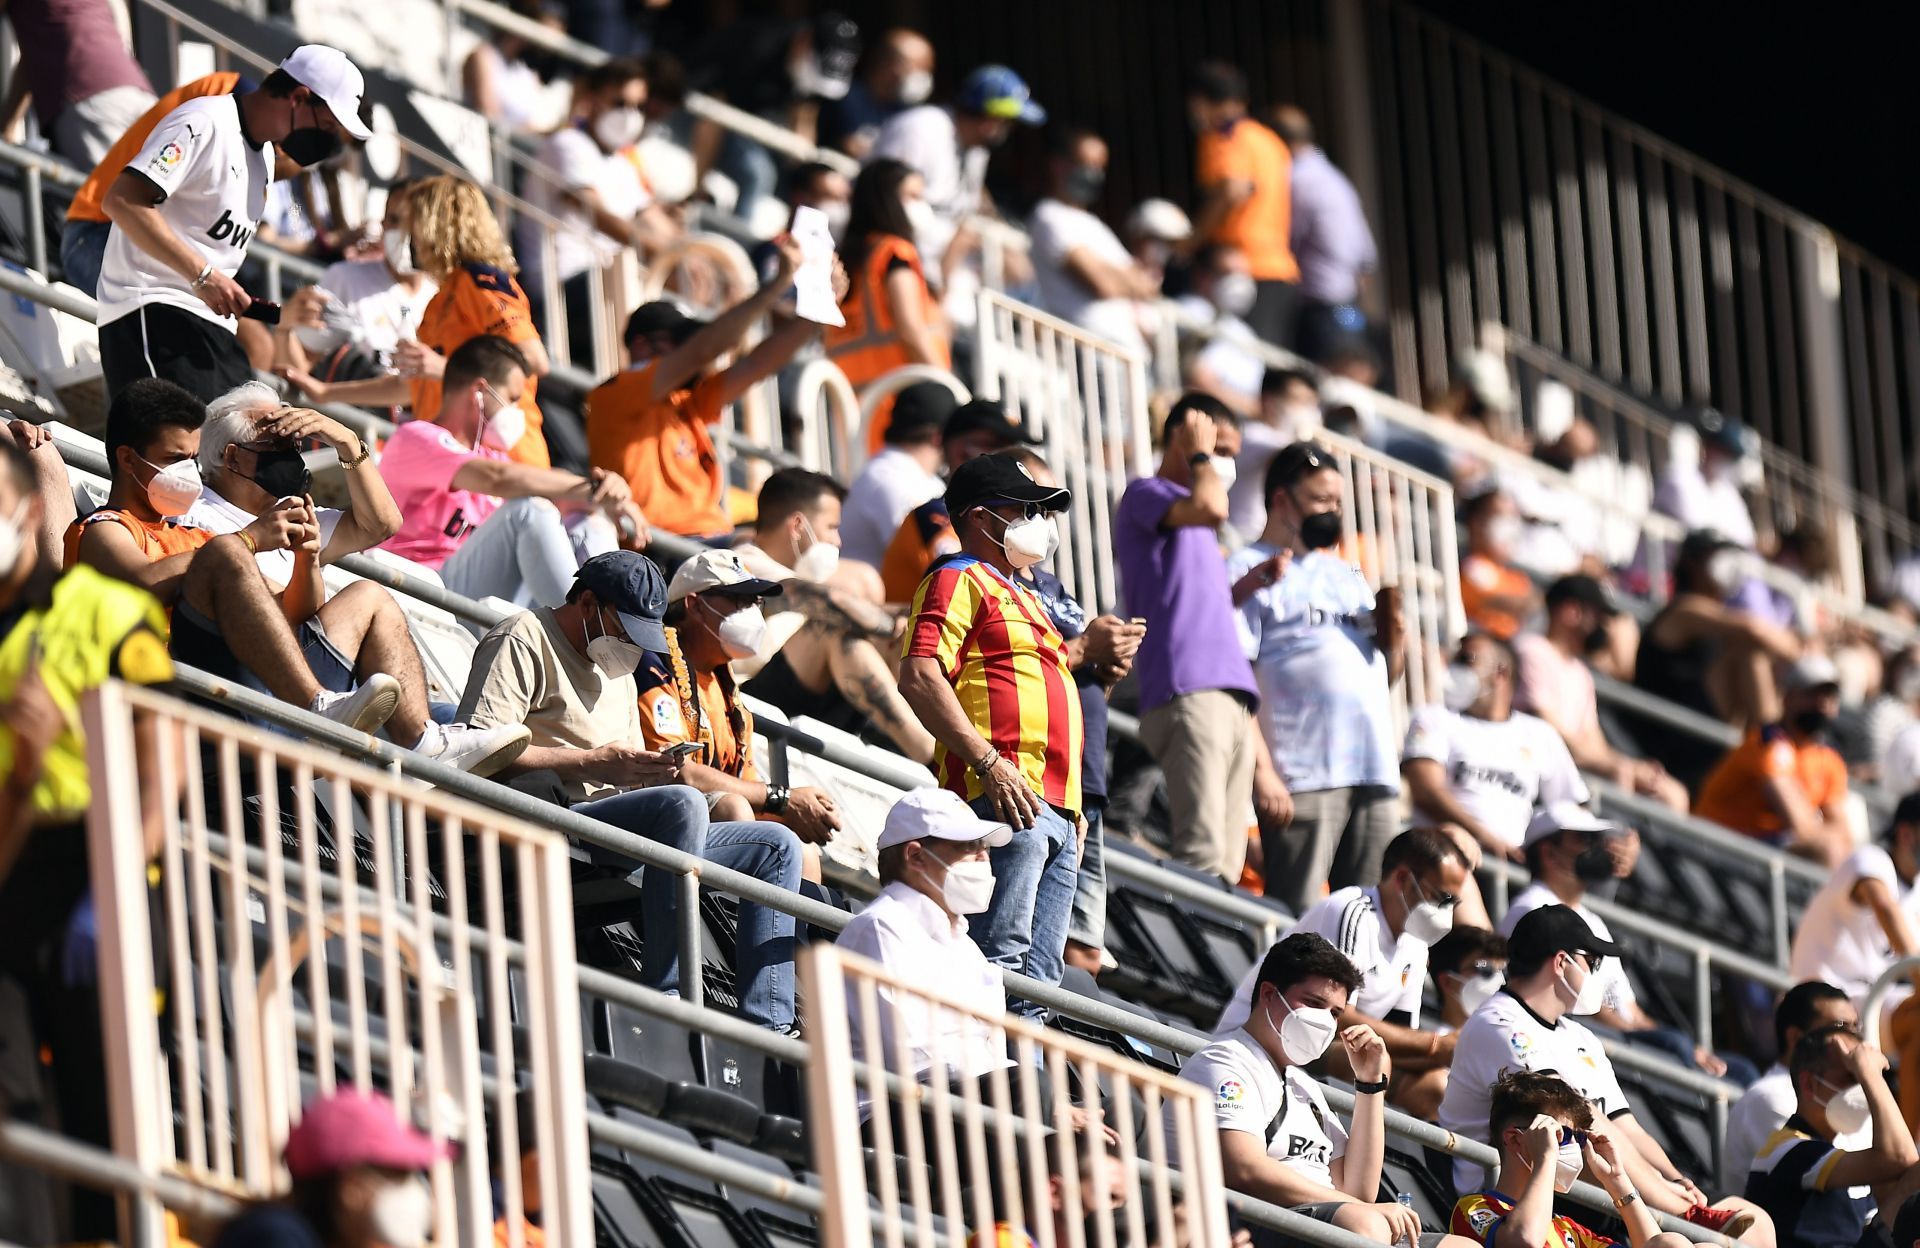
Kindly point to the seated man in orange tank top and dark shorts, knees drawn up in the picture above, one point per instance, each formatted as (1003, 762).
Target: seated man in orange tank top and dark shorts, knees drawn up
(348, 658)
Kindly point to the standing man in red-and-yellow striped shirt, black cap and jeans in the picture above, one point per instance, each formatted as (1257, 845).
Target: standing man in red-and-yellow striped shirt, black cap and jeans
(988, 675)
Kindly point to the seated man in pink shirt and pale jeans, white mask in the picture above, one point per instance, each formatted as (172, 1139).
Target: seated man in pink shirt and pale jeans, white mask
(450, 477)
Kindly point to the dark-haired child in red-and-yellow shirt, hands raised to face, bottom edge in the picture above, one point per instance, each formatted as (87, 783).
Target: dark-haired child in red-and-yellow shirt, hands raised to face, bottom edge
(1547, 1134)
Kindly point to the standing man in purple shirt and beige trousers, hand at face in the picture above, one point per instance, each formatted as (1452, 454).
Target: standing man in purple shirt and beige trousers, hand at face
(1197, 686)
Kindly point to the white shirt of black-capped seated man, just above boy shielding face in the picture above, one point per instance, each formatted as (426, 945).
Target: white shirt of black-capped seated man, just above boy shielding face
(1502, 1036)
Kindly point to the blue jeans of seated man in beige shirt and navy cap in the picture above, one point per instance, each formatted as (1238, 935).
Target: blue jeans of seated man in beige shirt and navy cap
(677, 817)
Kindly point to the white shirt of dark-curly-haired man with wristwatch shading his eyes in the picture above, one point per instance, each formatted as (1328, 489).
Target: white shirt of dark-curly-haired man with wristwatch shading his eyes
(1285, 1109)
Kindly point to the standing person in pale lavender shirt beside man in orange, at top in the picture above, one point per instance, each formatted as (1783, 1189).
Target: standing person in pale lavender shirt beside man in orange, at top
(1330, 239)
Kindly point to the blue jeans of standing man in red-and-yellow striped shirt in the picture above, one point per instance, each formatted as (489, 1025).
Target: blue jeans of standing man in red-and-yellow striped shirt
(1026, 926)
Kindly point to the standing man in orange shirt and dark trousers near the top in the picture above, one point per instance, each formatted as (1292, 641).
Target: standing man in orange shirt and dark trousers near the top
(1243, 174)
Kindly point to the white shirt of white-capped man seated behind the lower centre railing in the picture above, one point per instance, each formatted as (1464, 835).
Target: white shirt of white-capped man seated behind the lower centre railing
(913, 938)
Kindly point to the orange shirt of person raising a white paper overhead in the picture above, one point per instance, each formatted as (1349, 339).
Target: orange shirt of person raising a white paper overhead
(663, 450)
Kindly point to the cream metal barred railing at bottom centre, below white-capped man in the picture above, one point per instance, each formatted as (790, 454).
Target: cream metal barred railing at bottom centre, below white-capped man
(1009, 1166)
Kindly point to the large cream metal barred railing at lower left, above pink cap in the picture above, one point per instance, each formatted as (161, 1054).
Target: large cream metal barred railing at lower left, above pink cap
(358, 869)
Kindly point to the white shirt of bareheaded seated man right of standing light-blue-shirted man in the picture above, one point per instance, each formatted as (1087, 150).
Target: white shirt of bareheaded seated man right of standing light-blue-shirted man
(1499, 769)
